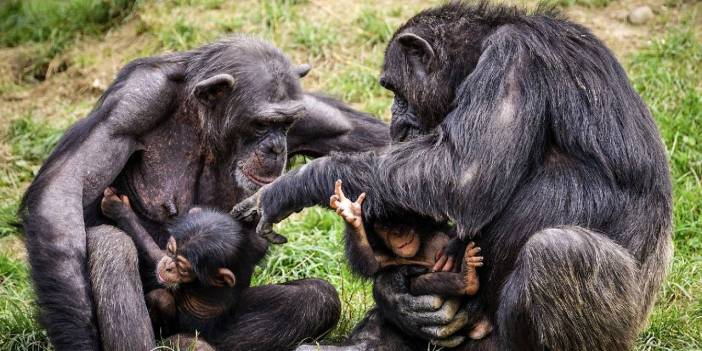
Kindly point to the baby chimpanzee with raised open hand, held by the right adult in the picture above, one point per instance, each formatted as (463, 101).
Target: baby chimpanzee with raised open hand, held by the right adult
(409, 244)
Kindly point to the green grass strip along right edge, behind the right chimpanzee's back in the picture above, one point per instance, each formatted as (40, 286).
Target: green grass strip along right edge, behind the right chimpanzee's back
(667, 75)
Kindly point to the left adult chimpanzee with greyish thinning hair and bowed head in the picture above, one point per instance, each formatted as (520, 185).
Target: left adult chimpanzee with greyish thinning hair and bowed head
(204, 127)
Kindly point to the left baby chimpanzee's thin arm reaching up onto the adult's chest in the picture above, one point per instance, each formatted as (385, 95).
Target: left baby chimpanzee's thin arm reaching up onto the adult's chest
(117, 208)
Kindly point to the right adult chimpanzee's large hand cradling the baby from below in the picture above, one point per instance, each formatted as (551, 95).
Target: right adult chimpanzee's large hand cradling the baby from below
(428, 317)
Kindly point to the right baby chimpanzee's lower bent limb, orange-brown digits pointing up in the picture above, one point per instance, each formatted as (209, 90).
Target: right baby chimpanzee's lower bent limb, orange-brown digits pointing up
(449, 283)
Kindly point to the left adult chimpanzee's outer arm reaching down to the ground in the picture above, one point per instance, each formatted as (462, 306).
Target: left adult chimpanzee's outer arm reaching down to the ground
(88, 158)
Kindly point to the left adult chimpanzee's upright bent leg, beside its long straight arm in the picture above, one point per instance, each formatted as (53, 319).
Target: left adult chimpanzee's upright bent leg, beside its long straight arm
(123, 320)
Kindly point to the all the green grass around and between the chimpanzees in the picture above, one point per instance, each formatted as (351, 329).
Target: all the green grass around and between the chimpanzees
(346, 51)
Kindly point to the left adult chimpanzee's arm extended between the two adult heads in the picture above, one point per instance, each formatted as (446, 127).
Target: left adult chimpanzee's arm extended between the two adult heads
(329, 125)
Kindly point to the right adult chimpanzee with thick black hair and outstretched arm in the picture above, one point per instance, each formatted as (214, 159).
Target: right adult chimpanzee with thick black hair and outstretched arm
(524, 132)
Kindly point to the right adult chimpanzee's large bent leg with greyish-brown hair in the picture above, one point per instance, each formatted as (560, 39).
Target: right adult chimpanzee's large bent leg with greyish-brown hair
(571, 289)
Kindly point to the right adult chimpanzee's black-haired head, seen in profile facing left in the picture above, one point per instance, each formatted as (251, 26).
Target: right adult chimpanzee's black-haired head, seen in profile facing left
(426, 61)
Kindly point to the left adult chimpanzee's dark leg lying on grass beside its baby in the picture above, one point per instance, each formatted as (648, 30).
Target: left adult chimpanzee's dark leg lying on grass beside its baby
(280, 316)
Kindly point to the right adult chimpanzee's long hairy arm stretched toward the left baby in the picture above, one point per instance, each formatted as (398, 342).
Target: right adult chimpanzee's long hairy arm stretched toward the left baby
(466, 170)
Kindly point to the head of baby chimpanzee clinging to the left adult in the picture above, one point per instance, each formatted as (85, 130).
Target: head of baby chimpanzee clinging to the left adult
(202, 249)
